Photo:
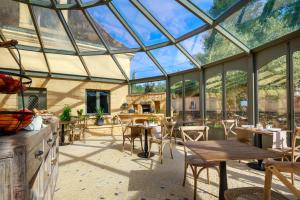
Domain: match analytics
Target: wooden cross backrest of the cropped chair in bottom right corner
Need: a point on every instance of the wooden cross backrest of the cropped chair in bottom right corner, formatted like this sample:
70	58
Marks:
276	168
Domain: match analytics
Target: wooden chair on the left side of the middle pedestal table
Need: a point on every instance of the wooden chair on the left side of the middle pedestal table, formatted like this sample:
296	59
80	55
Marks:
130	134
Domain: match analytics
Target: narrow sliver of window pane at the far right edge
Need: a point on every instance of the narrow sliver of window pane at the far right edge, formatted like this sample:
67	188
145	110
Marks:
296	65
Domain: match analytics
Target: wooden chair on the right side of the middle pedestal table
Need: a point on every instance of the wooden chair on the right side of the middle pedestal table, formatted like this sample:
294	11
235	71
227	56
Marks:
163	138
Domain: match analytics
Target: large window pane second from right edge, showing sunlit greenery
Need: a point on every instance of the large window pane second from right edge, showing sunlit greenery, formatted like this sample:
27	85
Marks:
272	99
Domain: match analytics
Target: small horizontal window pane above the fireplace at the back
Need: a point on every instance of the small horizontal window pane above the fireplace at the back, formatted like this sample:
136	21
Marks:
157	86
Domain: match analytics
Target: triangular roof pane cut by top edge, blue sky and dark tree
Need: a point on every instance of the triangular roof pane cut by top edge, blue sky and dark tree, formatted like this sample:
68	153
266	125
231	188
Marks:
214	8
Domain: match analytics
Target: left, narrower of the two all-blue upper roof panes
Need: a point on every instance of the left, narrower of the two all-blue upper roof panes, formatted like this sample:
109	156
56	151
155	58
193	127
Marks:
146	31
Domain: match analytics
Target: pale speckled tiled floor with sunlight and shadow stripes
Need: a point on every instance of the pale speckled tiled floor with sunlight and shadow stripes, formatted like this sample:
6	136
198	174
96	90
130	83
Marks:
98	169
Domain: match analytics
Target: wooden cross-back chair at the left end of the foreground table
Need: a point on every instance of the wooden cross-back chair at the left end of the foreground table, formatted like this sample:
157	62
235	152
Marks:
196	133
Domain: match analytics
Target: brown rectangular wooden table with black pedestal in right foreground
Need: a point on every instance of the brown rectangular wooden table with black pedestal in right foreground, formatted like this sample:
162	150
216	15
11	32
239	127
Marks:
224	150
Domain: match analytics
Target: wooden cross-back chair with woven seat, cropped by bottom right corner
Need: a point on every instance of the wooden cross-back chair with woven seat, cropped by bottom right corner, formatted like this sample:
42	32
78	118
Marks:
254	193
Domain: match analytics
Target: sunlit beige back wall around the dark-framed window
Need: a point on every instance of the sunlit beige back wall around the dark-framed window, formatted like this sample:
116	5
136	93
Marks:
62	92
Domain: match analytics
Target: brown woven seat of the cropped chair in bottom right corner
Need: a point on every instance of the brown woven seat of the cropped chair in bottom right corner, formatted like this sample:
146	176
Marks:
250	193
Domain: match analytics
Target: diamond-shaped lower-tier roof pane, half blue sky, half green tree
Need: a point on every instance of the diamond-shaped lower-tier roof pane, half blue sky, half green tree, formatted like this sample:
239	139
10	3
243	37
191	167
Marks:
210	46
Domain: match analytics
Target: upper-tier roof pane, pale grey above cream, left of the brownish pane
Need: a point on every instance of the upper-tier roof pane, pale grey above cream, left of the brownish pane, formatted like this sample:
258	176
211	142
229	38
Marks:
52	31
